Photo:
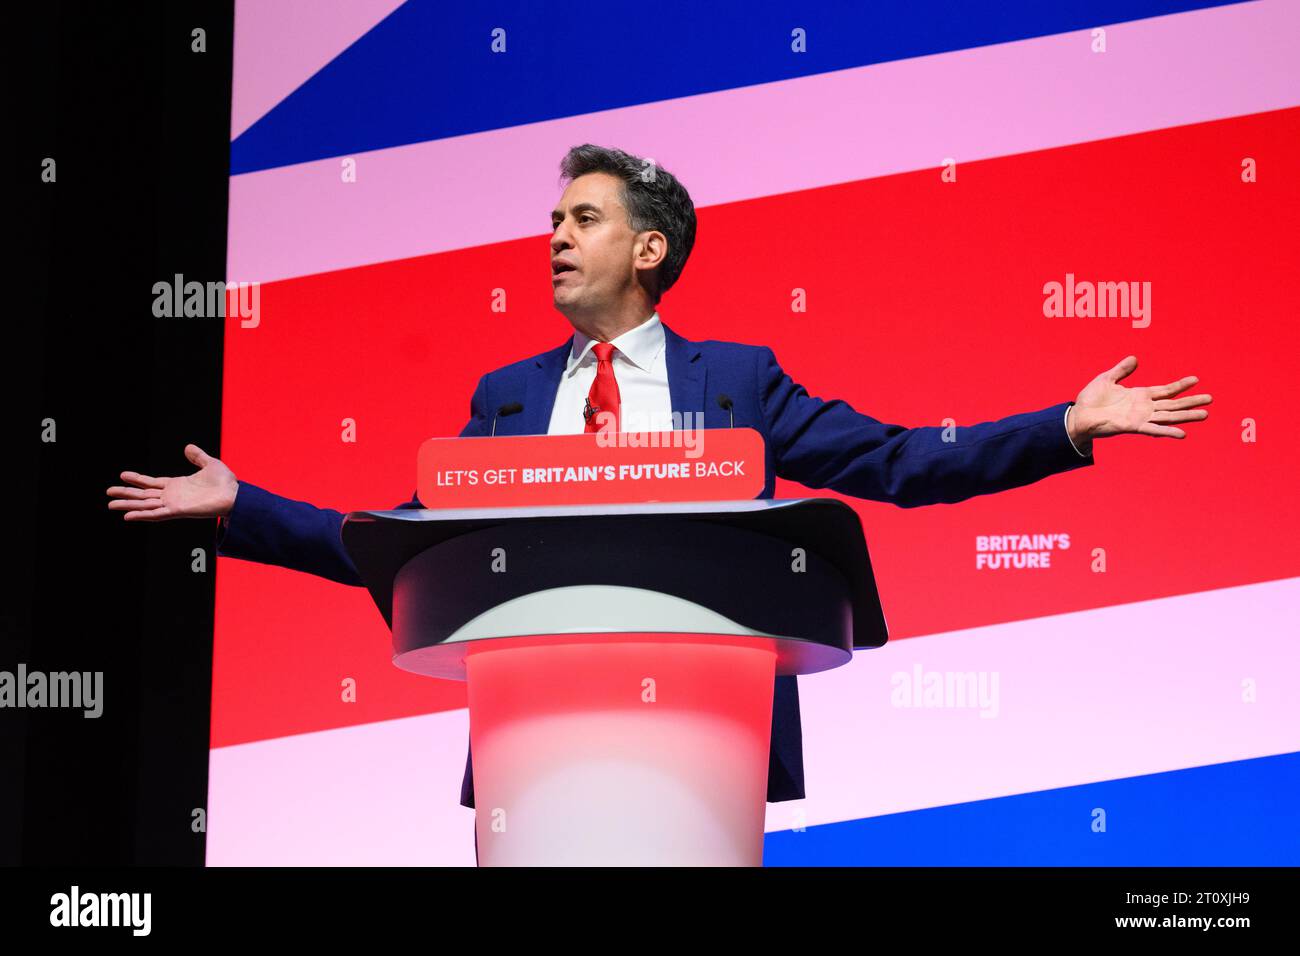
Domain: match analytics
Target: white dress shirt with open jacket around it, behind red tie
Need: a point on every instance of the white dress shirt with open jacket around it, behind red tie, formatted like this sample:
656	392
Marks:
642	371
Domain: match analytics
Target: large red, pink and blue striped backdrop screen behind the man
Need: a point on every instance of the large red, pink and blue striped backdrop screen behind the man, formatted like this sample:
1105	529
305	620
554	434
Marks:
886	198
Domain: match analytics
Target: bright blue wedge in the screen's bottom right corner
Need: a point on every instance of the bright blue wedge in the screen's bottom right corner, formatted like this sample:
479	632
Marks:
1246	814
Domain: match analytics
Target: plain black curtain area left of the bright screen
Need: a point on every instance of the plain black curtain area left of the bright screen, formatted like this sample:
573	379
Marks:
137	123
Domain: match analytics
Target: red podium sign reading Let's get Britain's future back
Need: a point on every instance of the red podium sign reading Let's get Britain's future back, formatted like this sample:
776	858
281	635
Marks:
515	471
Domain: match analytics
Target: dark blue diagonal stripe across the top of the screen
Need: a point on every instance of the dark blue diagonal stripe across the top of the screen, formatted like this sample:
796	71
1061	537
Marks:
427	71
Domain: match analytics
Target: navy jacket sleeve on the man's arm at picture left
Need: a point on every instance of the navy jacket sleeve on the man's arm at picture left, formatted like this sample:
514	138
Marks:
272	530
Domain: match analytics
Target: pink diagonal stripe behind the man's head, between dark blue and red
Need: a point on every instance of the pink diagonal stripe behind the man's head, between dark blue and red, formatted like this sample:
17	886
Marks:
777	139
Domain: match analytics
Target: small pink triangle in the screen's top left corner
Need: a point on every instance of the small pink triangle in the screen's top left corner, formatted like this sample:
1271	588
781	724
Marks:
283	44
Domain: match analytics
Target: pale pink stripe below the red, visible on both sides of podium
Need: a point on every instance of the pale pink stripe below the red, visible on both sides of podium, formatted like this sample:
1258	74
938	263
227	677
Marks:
1091	697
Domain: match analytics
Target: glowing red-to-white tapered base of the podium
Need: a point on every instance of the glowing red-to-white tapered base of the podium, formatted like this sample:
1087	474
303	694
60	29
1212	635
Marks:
627	750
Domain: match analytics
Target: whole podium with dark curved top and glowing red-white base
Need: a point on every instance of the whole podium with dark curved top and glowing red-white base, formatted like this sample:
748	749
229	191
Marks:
621	660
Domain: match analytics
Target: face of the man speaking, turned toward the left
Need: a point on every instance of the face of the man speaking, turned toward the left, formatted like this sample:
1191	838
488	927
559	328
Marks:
591	233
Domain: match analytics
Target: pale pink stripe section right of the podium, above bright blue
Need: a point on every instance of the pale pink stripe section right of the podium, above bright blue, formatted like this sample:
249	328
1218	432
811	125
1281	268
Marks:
1099	695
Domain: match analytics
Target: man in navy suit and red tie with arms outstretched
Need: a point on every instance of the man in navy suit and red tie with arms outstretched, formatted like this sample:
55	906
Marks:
621	237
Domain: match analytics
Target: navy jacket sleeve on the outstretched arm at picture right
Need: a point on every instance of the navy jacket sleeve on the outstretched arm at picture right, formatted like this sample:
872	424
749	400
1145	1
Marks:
831	445
